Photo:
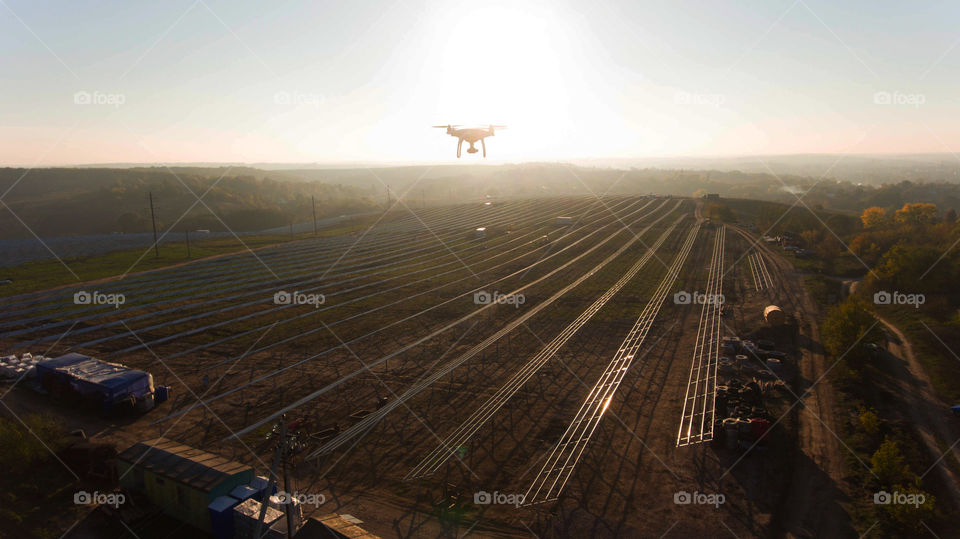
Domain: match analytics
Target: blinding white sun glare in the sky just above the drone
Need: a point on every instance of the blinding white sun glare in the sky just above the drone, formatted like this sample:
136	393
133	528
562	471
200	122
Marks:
502	64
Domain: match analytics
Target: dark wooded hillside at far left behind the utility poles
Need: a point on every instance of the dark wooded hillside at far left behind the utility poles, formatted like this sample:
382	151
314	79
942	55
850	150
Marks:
61	202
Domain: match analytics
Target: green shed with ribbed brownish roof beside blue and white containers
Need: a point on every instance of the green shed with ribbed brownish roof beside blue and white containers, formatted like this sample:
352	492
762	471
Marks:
181	480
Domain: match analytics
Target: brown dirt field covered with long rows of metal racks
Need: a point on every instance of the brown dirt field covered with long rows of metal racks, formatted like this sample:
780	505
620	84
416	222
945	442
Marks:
414	318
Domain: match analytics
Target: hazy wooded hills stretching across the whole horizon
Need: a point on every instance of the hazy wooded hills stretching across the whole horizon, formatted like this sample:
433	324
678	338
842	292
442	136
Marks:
68	201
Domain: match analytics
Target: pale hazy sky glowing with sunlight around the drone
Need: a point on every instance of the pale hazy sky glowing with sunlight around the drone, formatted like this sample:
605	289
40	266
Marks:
299	81
